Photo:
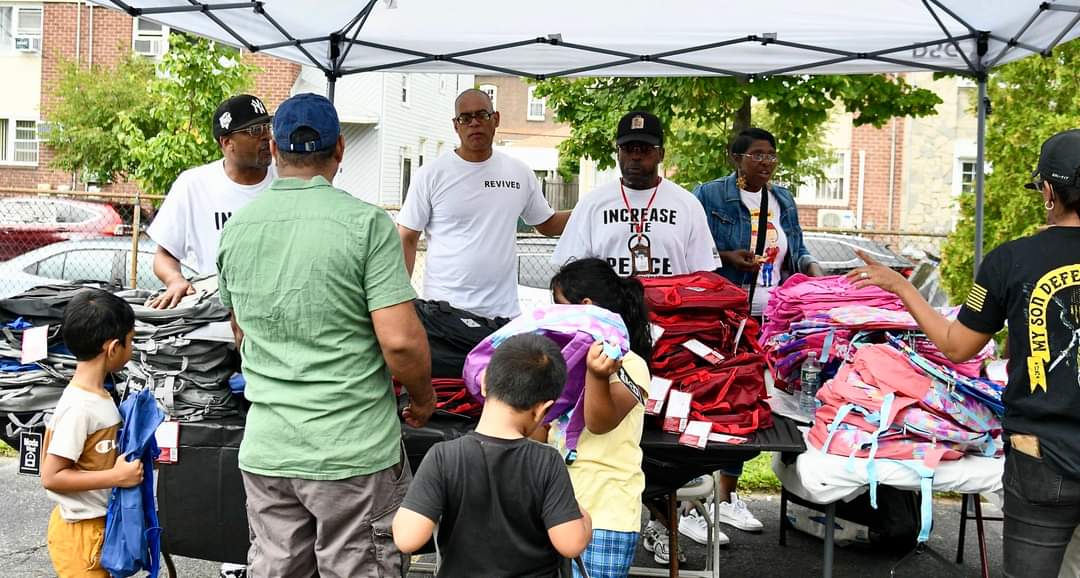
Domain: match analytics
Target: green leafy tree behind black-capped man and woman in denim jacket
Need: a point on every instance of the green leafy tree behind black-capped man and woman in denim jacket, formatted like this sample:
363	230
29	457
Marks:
700	114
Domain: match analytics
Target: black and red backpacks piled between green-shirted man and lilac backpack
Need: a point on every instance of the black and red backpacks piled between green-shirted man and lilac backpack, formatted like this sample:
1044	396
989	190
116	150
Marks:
452	334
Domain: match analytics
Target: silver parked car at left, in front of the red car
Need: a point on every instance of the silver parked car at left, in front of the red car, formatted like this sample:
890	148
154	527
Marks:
104	260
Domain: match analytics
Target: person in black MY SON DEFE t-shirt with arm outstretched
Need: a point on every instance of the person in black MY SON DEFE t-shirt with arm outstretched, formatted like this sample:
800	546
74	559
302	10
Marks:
1034	286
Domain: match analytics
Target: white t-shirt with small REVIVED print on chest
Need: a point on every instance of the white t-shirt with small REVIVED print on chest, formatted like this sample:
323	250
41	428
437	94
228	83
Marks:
469	212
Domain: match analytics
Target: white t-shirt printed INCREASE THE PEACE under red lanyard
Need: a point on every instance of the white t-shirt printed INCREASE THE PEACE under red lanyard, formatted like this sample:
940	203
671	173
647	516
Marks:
676	231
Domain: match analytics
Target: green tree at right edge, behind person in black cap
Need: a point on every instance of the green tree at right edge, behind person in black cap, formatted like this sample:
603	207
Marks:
1032	100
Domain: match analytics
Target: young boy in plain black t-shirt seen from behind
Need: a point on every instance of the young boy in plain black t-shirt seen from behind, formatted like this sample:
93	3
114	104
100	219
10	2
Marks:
504	504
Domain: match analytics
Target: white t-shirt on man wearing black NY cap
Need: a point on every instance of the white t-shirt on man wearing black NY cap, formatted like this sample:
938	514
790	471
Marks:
190	222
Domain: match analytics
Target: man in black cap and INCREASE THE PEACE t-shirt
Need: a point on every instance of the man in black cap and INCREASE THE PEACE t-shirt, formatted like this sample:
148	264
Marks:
642	224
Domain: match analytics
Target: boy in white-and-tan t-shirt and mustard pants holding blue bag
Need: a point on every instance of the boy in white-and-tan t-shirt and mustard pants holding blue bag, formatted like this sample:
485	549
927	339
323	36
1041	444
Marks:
80	448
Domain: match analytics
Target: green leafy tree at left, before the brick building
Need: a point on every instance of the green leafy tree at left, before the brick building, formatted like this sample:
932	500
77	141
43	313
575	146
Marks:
144	123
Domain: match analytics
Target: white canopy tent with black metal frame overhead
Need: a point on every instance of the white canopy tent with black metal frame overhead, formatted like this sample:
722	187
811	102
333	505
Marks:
637	38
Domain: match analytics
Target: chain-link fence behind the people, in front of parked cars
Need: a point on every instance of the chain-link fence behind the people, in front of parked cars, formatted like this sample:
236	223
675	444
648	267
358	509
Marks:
75	236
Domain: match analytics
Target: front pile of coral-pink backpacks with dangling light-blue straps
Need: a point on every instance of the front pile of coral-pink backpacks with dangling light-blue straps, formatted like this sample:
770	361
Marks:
884	405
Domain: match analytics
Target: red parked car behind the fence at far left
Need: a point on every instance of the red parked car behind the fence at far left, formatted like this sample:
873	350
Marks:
30	223
